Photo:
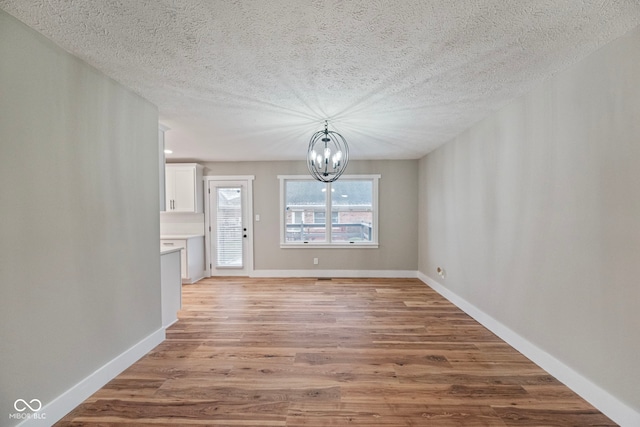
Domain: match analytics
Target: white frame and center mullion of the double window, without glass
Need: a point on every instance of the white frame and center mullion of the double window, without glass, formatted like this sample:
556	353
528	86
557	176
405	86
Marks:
297	245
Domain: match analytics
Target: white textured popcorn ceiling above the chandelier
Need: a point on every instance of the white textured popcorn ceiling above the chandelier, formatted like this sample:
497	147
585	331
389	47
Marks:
253	80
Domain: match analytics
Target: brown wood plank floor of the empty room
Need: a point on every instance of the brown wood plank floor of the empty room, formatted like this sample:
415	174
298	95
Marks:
306	352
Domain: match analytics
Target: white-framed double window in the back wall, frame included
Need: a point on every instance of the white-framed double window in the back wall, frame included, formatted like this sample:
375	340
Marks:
352	204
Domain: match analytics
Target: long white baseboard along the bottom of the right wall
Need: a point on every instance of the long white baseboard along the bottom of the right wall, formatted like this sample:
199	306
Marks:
608	404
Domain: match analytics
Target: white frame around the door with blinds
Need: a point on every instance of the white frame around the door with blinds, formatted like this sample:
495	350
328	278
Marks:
247	220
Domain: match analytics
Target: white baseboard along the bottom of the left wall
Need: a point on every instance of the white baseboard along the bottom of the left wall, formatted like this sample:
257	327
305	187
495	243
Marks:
70	399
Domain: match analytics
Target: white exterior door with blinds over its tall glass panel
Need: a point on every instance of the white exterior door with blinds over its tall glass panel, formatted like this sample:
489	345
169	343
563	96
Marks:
229	228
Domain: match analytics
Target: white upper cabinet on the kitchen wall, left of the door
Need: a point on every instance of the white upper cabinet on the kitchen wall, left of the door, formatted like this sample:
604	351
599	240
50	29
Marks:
184	187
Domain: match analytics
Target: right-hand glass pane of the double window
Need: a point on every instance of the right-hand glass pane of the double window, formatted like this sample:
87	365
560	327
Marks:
351	210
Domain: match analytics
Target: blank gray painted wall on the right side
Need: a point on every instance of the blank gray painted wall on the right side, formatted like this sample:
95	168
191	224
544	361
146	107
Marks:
534	213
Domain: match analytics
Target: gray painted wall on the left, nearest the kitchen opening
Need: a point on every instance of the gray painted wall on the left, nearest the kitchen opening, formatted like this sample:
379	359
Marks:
79	228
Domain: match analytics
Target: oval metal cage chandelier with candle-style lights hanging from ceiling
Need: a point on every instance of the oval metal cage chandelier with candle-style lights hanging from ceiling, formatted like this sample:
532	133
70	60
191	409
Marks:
328	155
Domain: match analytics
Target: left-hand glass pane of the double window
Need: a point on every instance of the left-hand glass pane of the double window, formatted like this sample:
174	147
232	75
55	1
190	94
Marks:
305	211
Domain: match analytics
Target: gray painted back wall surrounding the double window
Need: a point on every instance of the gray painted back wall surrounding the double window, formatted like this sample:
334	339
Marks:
398	220
